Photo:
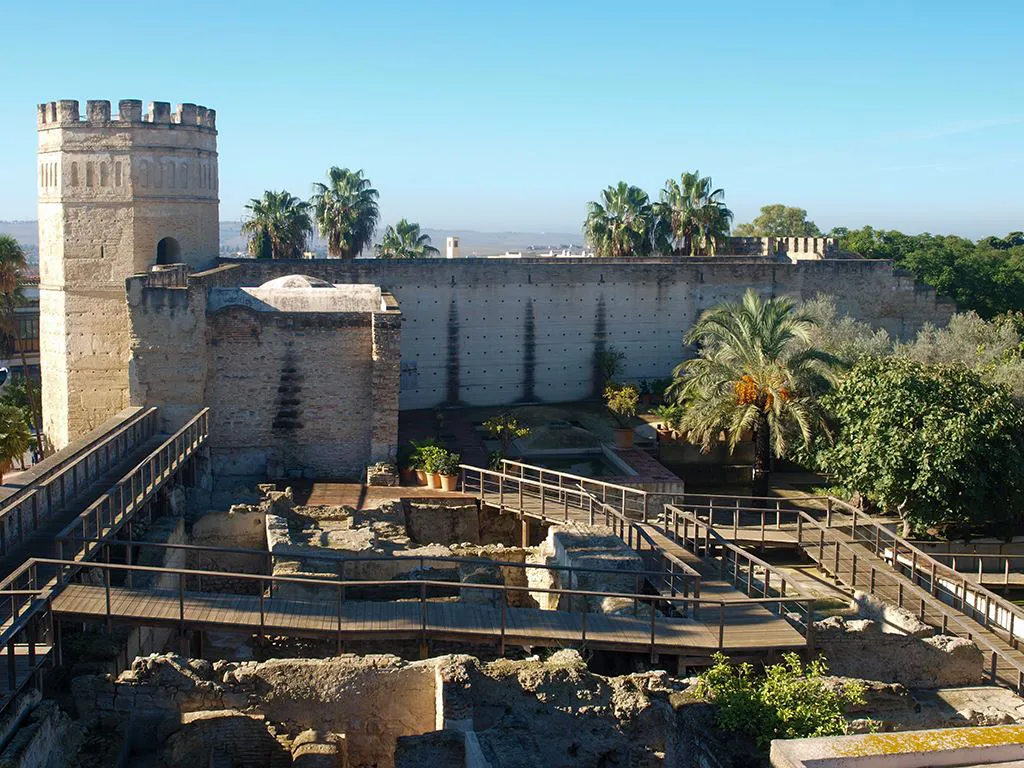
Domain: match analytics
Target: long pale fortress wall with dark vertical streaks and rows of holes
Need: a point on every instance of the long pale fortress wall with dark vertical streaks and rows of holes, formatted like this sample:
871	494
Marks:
486	332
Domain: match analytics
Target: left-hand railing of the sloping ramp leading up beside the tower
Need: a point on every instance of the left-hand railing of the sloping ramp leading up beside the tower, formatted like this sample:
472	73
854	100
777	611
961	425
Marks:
53	489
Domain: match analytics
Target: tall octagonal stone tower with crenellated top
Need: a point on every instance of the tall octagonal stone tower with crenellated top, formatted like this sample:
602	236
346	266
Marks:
117	197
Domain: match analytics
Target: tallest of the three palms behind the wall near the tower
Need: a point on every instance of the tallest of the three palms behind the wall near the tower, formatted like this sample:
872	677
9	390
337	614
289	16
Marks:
347	212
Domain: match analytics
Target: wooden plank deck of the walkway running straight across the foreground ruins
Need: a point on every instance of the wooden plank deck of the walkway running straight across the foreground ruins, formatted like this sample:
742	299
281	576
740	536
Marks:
745	629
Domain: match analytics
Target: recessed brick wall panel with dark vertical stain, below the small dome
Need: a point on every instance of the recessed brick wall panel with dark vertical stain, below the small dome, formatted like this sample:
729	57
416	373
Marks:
300	386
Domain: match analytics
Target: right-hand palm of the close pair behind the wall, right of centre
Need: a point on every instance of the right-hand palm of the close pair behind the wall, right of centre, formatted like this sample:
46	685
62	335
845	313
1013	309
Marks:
696	214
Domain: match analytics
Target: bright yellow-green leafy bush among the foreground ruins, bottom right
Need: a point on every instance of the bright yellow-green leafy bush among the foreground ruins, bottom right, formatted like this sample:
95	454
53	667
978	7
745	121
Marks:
790	701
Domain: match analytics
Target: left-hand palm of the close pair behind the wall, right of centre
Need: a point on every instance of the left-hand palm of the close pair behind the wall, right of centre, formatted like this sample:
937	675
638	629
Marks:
623	224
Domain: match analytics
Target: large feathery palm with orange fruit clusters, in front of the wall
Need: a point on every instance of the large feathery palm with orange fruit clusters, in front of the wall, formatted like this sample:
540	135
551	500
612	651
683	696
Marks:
756	371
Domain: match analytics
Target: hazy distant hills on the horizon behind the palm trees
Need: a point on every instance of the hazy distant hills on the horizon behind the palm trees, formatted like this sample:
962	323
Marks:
472	242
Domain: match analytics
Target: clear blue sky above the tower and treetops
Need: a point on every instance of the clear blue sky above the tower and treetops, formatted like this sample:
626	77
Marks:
497	117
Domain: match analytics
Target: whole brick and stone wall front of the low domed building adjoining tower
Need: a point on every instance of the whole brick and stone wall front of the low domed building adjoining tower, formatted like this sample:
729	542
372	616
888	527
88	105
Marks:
291	394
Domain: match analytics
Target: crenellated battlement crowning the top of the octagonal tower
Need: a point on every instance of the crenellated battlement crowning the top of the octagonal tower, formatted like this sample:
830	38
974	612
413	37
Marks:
66	113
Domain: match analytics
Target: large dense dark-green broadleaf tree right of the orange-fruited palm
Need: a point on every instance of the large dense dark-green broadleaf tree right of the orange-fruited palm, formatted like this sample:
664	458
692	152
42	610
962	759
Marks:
932	443
